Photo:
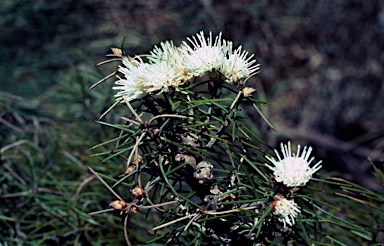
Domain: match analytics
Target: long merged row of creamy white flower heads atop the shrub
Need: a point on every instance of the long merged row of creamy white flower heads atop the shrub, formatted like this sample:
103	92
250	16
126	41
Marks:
169	66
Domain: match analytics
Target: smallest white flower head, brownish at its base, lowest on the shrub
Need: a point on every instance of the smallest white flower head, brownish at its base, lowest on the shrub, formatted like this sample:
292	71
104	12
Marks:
286	210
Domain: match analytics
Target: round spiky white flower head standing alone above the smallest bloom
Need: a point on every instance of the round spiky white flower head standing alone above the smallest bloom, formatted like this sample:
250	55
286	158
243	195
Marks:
294	169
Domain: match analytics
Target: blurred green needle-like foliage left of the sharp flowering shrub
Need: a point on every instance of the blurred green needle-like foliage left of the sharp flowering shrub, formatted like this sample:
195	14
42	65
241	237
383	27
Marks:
45	186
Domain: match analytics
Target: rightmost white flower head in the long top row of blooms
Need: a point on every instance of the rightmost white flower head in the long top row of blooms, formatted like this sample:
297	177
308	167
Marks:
238	64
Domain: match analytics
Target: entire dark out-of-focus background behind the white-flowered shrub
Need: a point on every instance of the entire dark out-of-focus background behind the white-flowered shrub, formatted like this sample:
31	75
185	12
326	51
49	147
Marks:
321	73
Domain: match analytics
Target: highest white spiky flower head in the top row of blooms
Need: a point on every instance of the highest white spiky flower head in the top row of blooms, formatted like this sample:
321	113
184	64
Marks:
205	56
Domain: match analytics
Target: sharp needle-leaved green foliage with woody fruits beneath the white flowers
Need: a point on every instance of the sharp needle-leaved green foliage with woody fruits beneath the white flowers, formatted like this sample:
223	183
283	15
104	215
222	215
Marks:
168	144
